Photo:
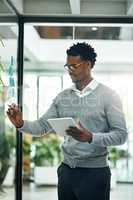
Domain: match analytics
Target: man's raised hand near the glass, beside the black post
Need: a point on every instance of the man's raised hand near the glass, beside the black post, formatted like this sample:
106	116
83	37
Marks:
15	115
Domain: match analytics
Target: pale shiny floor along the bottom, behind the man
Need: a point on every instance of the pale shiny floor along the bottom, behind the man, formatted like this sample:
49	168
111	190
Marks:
121	192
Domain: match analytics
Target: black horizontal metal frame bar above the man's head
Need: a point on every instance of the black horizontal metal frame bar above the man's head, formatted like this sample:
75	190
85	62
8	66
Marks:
77	19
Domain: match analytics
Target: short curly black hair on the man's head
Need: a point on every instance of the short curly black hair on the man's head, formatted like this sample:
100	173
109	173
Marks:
84	50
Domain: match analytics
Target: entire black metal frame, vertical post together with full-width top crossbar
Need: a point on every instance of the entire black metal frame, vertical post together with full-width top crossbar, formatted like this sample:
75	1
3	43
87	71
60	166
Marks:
21	20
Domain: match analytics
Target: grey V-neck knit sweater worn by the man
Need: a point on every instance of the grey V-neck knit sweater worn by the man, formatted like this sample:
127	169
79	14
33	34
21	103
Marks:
100	112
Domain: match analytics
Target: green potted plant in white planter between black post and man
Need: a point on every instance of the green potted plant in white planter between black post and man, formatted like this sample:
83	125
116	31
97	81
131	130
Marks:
46	159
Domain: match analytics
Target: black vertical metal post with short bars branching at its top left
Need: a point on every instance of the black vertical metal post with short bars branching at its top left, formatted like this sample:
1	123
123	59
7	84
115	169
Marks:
9	19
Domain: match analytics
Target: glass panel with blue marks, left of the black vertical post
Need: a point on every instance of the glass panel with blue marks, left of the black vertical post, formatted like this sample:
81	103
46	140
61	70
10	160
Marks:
8	95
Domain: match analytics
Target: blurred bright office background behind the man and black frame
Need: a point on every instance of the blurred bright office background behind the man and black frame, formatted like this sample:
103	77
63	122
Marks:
44	77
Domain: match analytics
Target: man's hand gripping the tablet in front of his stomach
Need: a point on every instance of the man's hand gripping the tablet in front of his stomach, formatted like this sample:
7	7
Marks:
79	133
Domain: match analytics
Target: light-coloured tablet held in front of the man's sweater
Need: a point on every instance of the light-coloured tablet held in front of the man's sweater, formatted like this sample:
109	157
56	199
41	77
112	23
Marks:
61	124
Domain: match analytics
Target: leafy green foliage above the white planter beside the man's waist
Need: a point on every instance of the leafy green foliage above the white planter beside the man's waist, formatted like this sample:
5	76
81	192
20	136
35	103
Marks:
48	152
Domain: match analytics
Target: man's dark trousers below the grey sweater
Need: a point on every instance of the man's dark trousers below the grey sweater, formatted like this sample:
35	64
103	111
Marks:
83	183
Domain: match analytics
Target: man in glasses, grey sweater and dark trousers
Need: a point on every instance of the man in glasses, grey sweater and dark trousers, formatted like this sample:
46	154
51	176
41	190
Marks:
84	173
